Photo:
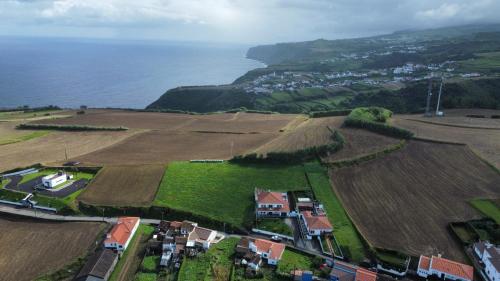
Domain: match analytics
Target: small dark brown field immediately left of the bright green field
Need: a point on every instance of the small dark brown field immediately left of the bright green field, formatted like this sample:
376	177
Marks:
124	186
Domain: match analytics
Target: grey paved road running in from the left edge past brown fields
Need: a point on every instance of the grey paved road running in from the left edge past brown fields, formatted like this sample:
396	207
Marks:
48	216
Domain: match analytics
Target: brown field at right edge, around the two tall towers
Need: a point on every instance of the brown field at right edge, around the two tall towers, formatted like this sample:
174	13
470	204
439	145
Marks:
485	142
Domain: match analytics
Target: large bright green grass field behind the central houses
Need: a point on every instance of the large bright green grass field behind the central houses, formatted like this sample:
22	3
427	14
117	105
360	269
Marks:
224	192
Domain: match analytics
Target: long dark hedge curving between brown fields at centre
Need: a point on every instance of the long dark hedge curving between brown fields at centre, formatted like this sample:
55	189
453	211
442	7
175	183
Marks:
298	156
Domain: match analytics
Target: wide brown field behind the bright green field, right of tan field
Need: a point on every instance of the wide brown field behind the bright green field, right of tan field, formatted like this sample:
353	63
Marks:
161	147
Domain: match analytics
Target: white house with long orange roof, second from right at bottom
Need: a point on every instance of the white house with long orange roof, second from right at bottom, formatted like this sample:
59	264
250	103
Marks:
444	268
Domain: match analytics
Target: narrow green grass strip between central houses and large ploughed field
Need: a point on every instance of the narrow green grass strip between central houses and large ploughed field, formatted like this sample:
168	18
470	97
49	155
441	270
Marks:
343	229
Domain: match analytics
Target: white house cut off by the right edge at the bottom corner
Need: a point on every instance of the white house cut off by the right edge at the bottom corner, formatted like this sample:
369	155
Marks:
489	254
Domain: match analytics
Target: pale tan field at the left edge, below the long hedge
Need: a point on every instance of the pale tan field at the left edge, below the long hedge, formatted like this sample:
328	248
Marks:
51	148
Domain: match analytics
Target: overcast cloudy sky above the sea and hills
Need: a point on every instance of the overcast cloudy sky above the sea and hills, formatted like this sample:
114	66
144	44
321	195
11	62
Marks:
239	21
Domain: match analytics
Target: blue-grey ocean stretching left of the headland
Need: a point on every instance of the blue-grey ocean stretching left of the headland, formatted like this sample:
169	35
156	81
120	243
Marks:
110	73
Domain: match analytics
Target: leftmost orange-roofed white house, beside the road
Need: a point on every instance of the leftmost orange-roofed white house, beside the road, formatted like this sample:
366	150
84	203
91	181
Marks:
121	234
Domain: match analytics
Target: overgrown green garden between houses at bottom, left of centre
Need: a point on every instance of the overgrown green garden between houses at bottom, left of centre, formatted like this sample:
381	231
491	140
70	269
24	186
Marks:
213	265
